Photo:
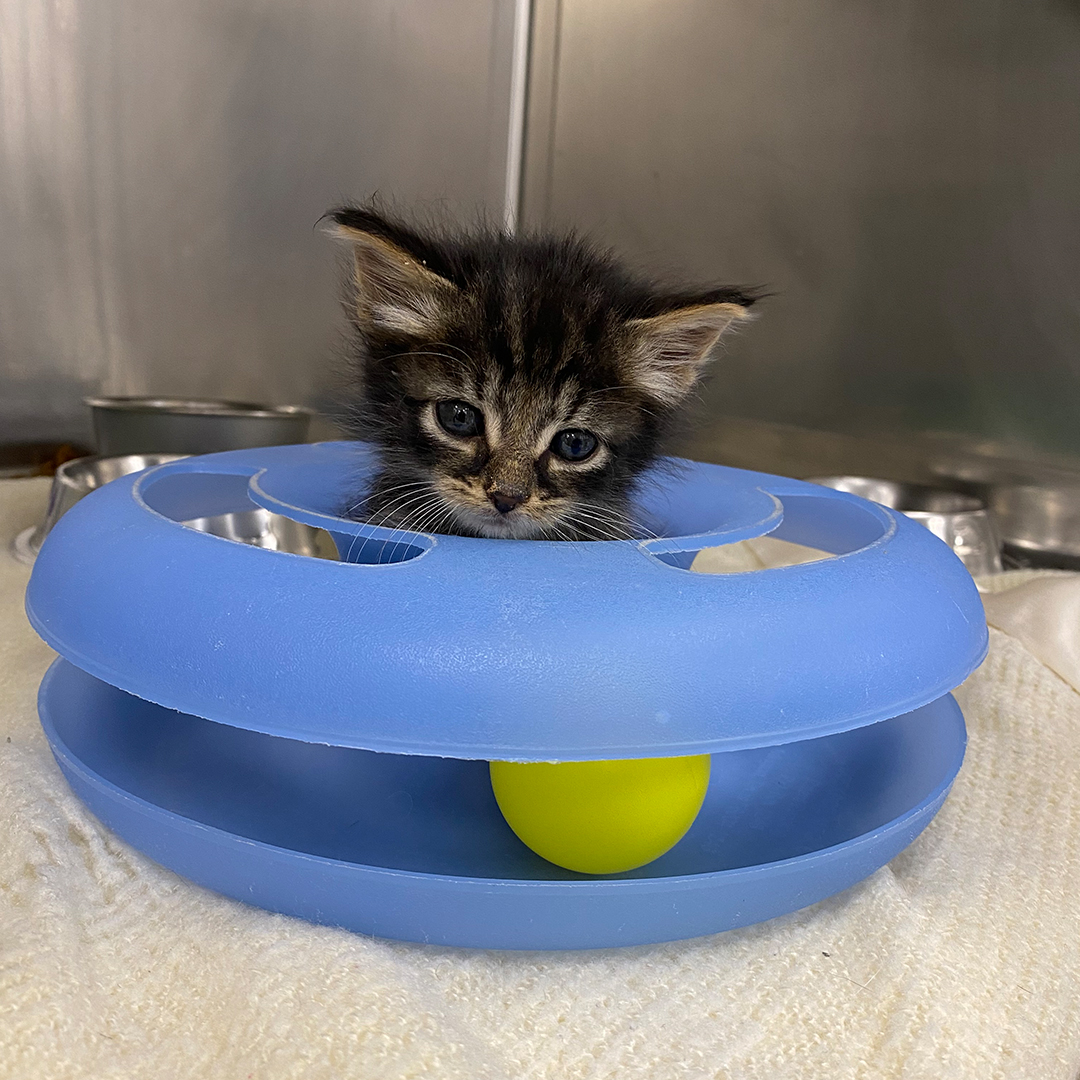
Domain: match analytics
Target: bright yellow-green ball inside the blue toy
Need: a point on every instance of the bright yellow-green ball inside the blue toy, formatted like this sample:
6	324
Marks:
602	817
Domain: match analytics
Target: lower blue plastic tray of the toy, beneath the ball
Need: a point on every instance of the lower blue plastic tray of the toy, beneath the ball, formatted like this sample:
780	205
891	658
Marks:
415	848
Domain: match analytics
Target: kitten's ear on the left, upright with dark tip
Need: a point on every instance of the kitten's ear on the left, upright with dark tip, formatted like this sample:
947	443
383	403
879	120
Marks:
396	291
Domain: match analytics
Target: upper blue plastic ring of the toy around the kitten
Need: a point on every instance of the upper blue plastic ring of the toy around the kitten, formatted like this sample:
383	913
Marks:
505	650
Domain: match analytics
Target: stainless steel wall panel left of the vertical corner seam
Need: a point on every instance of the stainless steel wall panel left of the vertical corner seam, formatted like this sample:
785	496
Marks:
163	166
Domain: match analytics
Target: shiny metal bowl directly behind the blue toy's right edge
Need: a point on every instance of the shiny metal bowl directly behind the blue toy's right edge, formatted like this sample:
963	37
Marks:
962	521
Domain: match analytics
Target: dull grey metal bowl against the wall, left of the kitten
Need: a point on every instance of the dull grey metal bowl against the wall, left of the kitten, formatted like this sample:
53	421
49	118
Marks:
172	426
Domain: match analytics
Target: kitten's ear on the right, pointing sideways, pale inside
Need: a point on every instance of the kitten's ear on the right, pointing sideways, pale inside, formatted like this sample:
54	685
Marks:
669	353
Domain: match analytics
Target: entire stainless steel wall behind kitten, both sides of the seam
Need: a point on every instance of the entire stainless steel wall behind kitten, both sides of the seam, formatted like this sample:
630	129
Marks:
904	175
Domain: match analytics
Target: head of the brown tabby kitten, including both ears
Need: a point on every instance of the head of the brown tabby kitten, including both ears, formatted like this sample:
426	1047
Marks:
517	387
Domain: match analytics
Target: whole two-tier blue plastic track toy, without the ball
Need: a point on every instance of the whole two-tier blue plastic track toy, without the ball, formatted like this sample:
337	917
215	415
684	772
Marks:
313	735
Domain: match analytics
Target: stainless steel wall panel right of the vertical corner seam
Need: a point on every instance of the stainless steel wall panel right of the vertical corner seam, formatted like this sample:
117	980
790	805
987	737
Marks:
906	175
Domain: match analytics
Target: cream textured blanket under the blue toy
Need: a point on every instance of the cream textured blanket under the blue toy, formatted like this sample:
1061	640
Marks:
961	960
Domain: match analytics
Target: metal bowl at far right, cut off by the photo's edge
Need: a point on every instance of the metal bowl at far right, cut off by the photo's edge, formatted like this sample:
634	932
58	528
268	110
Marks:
1039	524
